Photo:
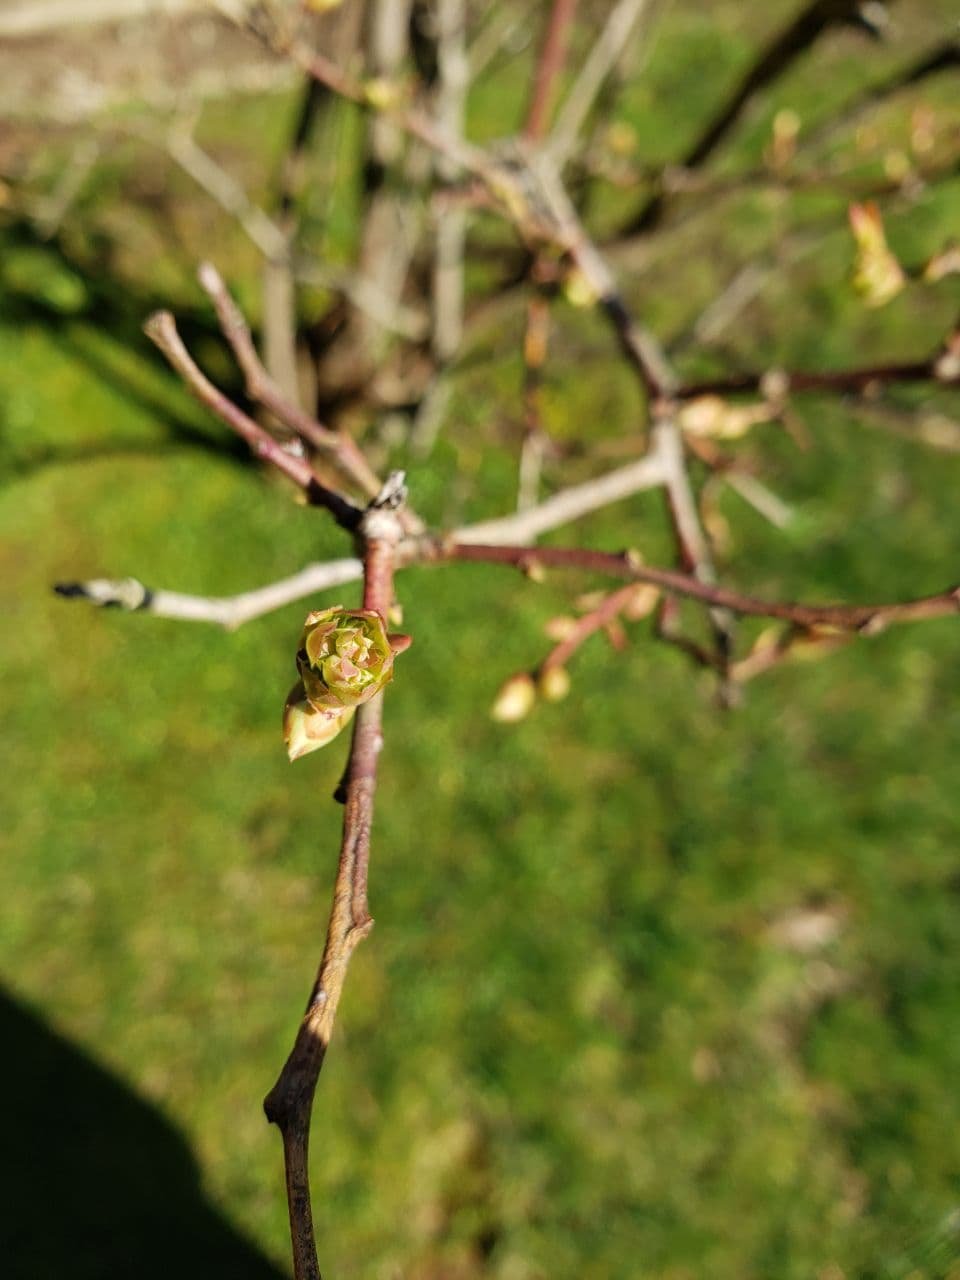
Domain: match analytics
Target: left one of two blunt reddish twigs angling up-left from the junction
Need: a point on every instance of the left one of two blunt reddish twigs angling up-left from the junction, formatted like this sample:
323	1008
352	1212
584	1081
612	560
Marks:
162	331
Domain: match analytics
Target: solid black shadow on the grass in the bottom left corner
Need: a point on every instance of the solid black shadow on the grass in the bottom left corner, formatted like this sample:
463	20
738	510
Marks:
94	1183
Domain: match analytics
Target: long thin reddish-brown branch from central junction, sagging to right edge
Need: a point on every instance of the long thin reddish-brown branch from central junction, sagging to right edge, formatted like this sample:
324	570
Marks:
845	618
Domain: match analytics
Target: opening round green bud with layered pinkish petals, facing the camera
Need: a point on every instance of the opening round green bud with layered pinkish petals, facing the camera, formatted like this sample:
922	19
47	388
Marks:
345	659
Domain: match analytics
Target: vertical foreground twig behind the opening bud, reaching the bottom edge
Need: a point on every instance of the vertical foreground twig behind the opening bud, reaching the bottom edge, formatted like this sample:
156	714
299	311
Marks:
290	1103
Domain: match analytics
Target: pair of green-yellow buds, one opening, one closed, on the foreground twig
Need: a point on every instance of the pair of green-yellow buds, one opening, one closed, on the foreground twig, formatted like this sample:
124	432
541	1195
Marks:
345	659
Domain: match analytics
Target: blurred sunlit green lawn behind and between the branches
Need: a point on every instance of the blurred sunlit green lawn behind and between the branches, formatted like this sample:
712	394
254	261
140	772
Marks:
655	990
